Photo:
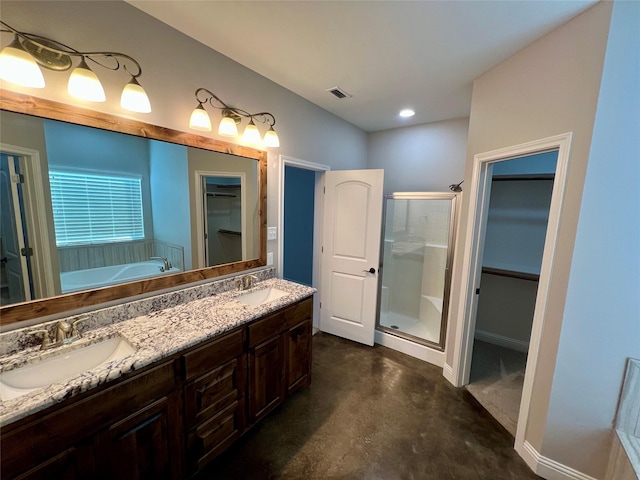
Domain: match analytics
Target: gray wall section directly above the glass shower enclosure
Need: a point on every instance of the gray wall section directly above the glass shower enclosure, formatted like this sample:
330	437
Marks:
422	158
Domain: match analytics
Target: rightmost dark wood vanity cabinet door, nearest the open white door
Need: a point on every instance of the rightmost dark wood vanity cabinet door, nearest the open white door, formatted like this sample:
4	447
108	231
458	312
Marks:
298	356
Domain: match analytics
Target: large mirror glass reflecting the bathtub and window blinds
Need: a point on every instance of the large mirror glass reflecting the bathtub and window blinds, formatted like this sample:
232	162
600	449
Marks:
86	175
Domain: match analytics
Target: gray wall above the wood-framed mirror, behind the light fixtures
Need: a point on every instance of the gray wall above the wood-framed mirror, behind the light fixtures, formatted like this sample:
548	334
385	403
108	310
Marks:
174	65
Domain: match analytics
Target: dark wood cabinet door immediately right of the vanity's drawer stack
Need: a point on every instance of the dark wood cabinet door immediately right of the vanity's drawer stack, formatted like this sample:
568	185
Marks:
266	372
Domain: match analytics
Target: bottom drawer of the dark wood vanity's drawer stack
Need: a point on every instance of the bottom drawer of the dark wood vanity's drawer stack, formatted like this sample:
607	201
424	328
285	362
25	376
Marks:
211	438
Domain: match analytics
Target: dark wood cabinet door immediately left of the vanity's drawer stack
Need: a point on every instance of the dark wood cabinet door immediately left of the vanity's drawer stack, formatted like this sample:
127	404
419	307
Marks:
145	445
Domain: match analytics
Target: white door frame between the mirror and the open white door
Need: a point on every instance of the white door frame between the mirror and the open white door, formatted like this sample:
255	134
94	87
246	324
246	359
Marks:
319	168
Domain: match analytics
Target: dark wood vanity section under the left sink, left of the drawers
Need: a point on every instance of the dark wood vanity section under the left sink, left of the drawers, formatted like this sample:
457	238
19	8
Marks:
88	438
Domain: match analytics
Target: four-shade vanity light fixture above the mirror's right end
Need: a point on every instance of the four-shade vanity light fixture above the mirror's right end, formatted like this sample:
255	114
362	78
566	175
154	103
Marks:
231	118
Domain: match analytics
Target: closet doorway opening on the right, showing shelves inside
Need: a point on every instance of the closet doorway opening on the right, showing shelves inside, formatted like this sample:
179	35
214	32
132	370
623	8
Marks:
517	219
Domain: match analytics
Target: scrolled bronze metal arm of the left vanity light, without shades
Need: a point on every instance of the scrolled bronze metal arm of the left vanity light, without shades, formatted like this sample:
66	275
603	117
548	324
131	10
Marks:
55	55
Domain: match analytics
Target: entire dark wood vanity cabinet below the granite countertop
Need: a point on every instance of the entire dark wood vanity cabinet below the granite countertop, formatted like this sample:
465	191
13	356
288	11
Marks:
170	419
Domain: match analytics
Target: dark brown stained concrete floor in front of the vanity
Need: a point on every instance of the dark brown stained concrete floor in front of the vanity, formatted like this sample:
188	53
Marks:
373	413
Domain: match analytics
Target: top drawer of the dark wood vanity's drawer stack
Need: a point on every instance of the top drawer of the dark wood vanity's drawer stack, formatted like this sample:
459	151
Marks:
214	353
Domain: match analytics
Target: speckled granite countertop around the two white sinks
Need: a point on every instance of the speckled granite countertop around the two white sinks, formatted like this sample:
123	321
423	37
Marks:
155	336
